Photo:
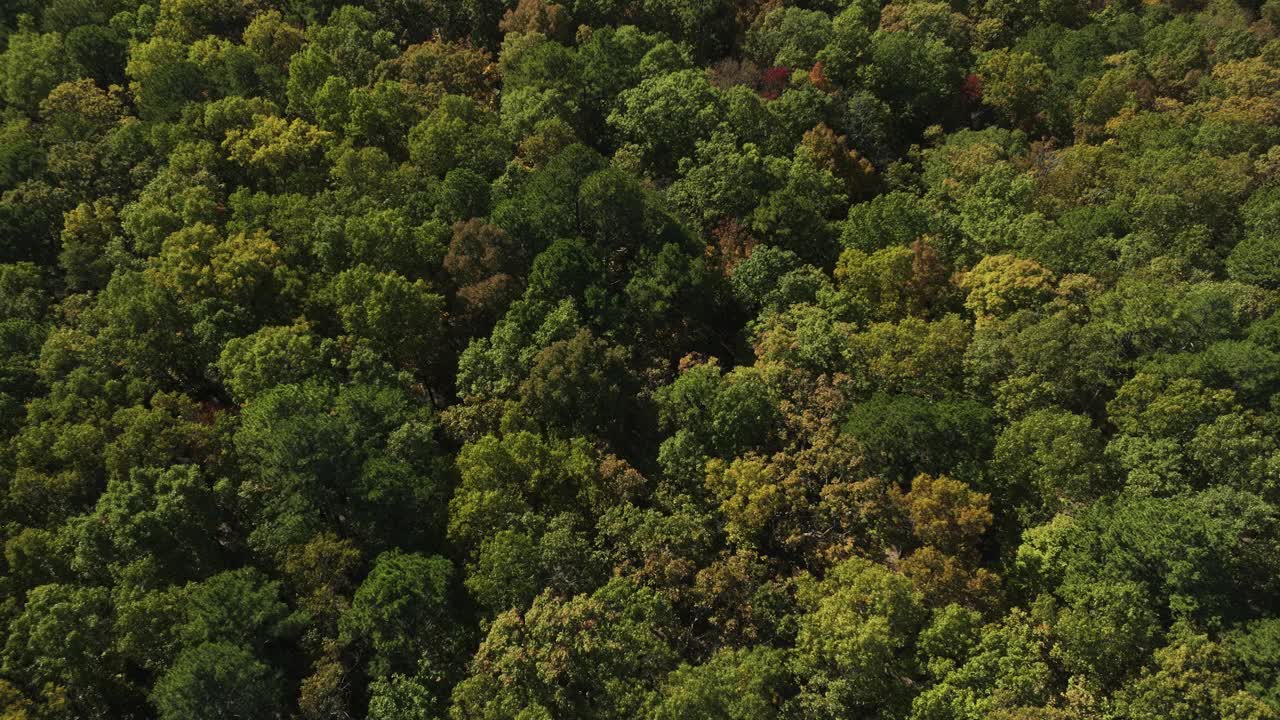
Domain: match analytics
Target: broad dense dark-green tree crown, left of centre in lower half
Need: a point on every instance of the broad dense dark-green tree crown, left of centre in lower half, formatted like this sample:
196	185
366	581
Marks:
362	461
